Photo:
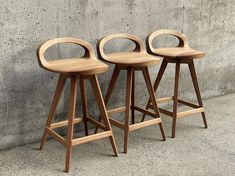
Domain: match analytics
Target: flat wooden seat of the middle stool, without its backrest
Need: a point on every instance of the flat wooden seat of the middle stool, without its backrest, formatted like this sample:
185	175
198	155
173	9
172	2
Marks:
132	58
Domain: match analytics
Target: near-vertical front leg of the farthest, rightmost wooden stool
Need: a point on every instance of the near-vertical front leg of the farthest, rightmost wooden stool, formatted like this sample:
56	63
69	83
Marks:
177	75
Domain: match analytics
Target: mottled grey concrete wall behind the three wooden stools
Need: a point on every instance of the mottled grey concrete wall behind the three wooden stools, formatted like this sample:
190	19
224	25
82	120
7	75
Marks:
26	90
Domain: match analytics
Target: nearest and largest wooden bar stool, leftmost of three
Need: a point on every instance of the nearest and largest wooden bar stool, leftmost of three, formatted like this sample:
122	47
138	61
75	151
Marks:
82	68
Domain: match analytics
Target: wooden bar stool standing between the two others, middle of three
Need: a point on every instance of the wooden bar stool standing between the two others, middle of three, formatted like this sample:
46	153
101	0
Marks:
136	60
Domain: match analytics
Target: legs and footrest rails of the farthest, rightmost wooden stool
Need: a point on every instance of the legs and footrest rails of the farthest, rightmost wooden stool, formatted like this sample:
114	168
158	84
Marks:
176	115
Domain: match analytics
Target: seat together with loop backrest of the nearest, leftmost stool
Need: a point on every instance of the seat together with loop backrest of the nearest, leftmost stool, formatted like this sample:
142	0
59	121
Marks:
81	66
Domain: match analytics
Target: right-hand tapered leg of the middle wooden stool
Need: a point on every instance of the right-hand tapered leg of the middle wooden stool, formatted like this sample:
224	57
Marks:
153	98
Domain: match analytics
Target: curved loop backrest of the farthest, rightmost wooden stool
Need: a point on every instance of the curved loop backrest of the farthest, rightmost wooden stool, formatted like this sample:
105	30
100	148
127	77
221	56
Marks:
183	42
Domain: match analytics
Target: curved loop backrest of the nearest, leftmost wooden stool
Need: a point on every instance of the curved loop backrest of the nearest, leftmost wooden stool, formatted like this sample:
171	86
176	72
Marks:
89	52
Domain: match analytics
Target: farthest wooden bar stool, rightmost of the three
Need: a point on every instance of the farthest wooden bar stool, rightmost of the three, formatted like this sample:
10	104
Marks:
182	54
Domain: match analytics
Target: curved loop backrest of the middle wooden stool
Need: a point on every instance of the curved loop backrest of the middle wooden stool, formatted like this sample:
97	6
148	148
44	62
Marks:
139	44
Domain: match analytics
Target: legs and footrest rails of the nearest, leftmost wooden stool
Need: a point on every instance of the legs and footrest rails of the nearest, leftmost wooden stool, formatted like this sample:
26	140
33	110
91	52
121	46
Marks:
69	142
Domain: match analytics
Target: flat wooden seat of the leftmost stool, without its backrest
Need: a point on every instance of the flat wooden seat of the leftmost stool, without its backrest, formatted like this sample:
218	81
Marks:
77	65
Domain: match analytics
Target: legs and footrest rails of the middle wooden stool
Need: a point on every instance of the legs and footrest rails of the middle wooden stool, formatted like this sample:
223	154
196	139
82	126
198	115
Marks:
130	107
